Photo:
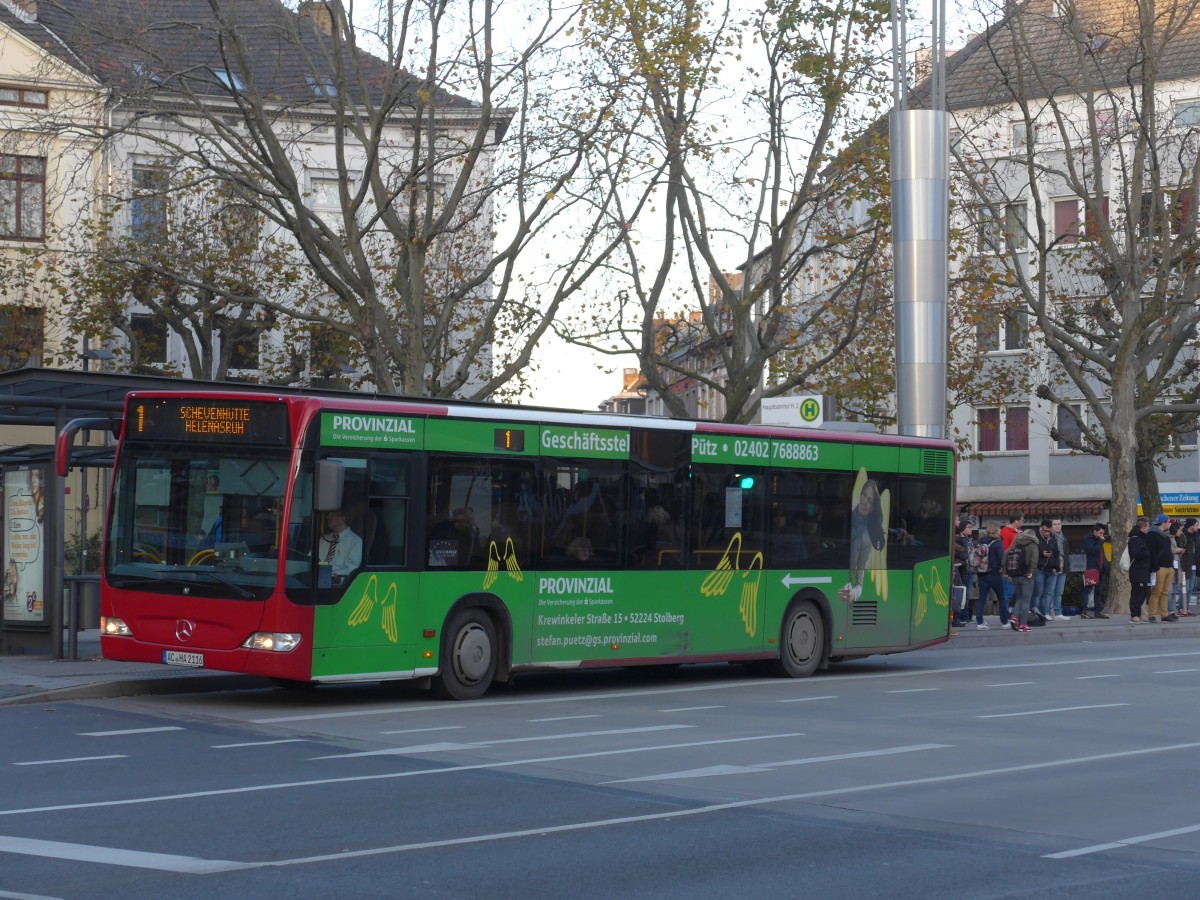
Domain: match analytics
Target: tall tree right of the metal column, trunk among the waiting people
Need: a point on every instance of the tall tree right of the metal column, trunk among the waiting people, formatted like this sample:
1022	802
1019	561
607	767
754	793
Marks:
1065	109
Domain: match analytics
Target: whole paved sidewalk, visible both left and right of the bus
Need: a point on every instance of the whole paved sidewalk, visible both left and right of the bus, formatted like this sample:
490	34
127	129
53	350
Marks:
41	680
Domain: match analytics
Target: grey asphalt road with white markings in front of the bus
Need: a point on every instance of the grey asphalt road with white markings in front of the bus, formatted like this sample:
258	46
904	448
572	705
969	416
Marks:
1059	771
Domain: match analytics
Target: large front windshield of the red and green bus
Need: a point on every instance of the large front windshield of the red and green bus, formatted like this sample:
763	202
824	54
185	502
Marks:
199	520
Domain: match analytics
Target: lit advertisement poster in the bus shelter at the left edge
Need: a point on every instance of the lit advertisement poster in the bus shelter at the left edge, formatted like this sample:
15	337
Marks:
25	513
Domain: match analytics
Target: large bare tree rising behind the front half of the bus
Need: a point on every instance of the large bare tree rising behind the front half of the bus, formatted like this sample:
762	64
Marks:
411	152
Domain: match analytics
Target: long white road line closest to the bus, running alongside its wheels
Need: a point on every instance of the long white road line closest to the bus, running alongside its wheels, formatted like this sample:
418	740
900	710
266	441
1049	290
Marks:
826	680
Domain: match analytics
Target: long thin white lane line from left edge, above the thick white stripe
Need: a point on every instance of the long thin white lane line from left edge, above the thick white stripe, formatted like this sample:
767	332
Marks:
391	776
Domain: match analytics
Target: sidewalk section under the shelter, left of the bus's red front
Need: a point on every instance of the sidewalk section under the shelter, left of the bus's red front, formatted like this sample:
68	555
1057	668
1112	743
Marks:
33	679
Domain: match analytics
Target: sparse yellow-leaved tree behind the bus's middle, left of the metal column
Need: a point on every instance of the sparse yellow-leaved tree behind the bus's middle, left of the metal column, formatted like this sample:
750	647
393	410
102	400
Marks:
747	143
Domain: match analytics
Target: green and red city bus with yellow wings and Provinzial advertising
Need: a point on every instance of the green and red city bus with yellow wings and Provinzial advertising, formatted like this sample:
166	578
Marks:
343	538
